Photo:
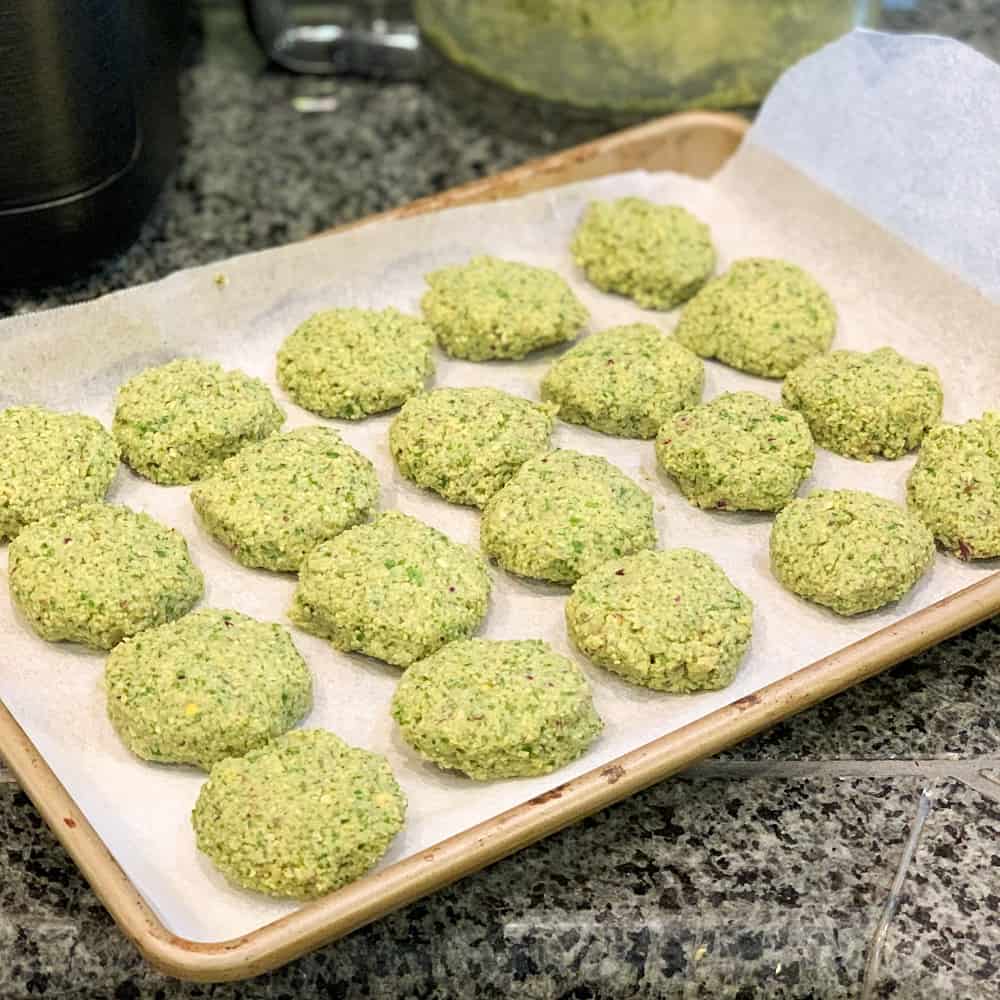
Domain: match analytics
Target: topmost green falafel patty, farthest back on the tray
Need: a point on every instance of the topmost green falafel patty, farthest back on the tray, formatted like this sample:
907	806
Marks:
657	255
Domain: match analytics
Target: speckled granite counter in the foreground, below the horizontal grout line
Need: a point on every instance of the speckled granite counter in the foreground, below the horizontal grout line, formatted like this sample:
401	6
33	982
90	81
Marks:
705	887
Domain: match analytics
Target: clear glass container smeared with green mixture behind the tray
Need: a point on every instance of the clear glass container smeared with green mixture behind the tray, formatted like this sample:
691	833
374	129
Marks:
637	56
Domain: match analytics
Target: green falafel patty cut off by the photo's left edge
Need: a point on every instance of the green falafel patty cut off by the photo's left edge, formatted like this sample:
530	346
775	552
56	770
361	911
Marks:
52	462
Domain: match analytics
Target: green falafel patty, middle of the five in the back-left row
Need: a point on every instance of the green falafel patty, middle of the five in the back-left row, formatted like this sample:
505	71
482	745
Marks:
350	363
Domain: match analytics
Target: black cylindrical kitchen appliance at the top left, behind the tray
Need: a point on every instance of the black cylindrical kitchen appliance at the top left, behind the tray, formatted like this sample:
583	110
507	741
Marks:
88	127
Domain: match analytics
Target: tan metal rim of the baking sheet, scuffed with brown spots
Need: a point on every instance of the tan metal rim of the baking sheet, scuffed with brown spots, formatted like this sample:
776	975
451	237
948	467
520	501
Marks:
695	143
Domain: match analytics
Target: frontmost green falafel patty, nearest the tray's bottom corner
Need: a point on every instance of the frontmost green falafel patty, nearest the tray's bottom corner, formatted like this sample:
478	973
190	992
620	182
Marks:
299	817
